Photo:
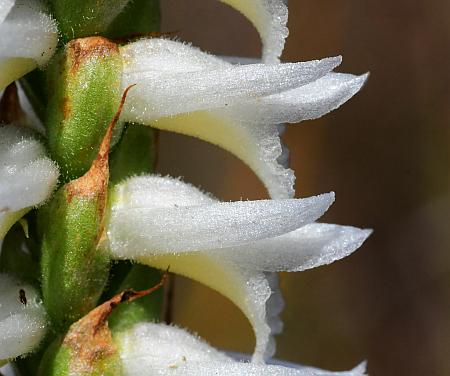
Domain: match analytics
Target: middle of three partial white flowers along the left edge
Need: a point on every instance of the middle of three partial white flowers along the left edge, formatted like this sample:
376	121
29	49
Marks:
27	176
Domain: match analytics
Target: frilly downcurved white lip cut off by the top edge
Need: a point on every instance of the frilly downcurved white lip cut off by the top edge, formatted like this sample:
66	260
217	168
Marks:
270	18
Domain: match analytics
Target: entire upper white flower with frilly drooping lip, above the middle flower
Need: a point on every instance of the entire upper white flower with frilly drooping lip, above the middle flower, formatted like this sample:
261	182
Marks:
237	107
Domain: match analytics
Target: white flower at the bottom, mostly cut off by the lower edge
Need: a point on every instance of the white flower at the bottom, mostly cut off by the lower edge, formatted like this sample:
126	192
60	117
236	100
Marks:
159	349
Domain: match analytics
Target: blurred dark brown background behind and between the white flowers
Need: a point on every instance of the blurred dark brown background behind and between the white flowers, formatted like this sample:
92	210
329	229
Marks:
385	154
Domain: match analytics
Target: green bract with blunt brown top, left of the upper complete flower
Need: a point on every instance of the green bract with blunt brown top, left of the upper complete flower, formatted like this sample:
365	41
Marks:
85	82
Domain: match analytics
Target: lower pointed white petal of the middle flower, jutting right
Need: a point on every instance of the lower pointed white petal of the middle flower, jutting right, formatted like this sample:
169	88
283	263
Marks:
308	247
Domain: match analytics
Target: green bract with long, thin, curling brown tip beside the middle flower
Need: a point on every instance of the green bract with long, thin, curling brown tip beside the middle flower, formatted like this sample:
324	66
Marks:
74	271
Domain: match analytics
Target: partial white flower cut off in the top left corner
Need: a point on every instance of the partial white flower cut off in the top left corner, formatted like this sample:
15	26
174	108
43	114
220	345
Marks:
29	38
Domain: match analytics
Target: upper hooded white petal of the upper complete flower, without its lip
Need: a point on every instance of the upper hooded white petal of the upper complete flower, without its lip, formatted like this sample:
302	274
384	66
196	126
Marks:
173	78
